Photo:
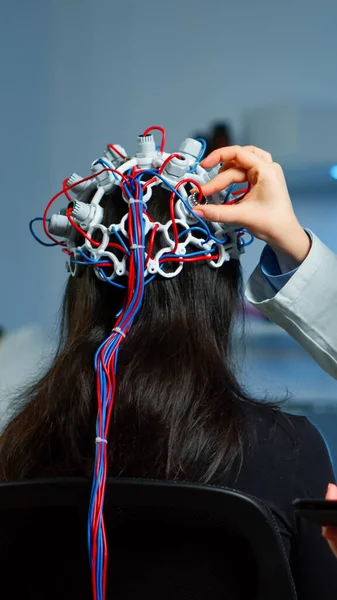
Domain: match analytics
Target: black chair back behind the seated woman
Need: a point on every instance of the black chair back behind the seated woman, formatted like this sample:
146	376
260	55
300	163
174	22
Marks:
166	541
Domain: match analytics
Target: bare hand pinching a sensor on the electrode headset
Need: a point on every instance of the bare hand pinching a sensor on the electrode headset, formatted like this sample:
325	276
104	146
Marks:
266	211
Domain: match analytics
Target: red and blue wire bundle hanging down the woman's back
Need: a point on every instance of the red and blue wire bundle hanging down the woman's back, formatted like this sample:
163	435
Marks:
105	365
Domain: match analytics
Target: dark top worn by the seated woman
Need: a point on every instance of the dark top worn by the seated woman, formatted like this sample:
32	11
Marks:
290	460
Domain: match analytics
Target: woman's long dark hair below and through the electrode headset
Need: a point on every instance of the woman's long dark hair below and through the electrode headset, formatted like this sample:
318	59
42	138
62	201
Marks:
179	411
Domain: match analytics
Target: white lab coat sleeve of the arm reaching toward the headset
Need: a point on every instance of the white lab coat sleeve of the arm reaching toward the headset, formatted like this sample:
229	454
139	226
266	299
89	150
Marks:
306	307
